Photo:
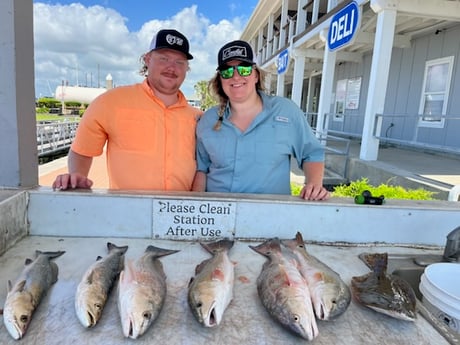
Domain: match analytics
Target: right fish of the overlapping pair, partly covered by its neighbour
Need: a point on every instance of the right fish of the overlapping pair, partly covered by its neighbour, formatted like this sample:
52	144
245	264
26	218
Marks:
329	293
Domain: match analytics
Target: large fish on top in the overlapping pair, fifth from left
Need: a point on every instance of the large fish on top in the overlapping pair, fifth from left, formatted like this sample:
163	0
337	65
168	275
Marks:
284	291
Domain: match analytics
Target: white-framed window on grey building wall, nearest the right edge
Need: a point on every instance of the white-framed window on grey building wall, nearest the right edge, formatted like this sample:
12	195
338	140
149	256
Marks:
435	92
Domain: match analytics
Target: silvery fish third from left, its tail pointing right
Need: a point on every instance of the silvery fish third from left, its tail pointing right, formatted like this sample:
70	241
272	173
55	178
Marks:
142	291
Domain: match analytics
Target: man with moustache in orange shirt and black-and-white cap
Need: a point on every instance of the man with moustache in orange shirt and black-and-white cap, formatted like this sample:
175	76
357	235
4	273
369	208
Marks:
148	128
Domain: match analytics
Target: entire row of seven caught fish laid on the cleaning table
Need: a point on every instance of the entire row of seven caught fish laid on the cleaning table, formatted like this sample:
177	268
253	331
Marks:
294	287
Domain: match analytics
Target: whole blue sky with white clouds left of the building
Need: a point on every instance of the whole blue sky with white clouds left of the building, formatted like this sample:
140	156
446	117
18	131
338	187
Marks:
81	42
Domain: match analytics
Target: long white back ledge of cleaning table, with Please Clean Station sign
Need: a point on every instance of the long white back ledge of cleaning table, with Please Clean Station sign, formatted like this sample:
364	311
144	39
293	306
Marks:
192	216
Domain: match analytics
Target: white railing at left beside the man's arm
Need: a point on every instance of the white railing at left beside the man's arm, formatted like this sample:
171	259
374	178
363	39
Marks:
55	136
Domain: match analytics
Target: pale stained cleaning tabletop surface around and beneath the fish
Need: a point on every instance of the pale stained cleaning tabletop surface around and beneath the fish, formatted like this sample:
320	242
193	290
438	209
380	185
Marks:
245	320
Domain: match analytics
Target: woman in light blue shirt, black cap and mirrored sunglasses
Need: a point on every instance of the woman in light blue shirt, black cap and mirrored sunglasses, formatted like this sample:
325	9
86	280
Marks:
245	144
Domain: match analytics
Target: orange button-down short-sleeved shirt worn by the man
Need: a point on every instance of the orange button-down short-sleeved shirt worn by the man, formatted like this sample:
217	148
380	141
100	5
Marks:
149	145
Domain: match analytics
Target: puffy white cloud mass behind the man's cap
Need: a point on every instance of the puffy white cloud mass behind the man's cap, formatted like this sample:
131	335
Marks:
83	44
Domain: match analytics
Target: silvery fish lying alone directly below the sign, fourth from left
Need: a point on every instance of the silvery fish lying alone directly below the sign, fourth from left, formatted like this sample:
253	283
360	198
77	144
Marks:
211	290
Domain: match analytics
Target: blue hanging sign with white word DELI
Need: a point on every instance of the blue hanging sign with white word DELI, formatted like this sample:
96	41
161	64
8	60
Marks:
343	27
